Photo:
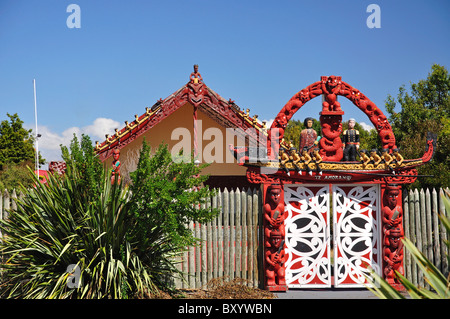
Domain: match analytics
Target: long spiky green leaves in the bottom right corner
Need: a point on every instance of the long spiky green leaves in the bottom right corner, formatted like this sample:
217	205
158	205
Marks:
436	280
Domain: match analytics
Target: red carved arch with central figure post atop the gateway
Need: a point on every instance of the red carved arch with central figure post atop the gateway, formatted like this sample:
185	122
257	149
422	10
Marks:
331	115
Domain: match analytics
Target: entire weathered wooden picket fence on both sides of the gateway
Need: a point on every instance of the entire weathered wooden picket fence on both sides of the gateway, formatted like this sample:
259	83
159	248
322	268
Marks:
231	244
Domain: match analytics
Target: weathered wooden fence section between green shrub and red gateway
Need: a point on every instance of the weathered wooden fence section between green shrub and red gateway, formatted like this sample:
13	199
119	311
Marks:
230	244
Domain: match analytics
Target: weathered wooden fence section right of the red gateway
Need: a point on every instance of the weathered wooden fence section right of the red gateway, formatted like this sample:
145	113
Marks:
422	226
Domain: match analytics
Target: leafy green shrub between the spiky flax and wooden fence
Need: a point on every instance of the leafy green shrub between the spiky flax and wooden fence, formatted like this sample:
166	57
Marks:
168	192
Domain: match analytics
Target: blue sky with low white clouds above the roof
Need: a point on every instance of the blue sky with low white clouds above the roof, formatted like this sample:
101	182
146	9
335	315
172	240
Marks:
128	54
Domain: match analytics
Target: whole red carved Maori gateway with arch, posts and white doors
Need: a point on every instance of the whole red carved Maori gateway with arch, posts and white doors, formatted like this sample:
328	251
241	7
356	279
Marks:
365	198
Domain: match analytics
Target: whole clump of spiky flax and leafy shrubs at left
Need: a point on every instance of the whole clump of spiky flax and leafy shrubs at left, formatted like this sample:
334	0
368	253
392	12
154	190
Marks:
121	249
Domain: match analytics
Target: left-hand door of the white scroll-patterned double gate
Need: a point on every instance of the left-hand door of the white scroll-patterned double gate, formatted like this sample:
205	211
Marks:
307	236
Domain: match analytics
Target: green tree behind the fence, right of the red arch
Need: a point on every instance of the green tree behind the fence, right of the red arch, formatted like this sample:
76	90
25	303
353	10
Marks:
425	108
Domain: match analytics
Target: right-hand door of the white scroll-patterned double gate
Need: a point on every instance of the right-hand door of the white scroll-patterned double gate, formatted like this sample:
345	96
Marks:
356	233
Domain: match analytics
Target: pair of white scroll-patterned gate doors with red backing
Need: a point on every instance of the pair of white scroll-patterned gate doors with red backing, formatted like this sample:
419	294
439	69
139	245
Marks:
356	234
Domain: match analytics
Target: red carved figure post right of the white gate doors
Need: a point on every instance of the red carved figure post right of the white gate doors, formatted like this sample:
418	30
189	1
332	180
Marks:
393	233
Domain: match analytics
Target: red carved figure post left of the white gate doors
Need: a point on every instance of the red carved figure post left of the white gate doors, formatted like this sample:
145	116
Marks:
274	233
